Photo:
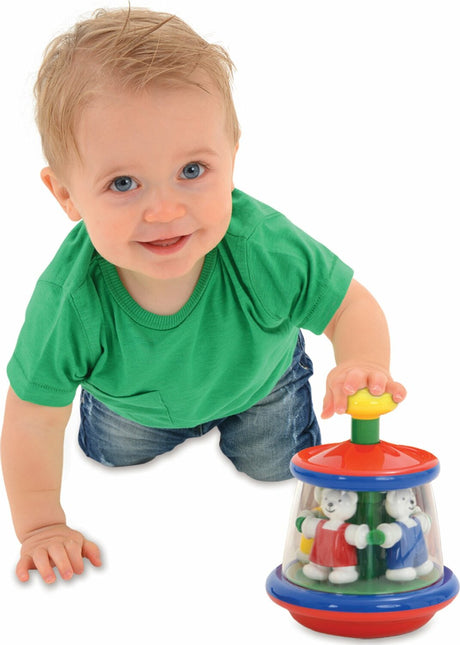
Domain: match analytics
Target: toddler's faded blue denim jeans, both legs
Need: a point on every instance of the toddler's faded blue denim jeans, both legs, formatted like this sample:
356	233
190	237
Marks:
259	441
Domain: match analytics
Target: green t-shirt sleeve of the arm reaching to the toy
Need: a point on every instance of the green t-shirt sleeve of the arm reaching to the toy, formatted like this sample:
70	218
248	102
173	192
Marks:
296	277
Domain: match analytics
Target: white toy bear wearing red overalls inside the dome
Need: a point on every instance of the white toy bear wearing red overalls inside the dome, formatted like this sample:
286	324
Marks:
333	555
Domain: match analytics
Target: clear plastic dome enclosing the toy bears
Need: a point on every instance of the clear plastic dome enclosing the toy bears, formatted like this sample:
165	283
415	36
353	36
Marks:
363	542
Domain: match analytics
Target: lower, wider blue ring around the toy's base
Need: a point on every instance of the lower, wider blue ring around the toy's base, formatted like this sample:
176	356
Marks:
279	588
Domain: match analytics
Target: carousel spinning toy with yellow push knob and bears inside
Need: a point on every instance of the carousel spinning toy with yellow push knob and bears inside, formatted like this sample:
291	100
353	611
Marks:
363	553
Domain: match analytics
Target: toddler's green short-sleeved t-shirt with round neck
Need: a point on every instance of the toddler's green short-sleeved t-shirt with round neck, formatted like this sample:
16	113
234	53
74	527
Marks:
218	355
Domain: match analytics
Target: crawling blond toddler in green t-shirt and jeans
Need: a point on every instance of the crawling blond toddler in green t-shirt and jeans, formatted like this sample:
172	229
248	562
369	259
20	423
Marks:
176	301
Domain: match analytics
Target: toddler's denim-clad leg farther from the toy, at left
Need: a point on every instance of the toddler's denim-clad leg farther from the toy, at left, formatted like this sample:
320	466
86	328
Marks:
112	440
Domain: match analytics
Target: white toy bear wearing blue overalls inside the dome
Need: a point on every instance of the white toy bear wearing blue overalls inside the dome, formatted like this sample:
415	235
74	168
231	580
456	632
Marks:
407	554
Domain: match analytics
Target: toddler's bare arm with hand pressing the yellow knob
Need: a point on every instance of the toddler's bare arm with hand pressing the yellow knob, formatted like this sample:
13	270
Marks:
359	334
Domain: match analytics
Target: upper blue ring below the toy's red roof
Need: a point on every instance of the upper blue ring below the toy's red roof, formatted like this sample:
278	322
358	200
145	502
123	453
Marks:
368	483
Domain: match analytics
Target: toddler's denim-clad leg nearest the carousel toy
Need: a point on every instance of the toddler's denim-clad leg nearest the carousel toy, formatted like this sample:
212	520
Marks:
262	440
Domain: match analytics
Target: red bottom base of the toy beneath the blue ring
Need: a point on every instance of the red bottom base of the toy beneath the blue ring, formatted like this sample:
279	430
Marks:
363	625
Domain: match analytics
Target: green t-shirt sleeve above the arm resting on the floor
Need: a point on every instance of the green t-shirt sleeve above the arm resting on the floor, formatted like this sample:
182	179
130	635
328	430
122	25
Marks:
53	353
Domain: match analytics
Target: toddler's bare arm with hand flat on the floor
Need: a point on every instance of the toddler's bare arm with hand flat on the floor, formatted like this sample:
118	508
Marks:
32	449
